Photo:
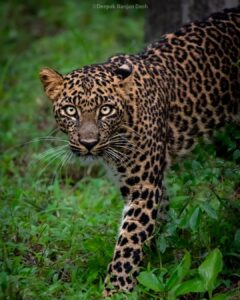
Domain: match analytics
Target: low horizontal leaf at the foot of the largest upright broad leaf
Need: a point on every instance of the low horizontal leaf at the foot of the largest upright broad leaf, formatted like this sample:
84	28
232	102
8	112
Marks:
190	286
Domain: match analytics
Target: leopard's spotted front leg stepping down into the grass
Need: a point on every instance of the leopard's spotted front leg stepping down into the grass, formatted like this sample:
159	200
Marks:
137	226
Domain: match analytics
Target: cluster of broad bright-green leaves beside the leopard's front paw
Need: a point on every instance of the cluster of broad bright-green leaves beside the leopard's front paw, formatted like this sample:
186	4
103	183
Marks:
172	284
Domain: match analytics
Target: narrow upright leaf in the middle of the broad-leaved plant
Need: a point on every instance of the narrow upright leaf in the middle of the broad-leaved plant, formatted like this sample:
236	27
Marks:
180	272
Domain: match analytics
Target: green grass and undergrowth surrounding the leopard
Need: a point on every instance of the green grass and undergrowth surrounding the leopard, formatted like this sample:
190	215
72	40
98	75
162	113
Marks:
58	228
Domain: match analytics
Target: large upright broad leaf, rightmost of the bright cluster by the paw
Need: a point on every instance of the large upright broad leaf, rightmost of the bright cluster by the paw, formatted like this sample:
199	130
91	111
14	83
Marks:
210	268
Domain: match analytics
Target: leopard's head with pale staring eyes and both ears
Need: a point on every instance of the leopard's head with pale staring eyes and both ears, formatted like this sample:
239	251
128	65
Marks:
90	106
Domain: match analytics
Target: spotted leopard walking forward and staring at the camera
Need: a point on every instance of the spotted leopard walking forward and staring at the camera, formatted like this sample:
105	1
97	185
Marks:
138	112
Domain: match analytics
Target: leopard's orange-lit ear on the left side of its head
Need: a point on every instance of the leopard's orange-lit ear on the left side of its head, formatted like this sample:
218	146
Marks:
52	82
